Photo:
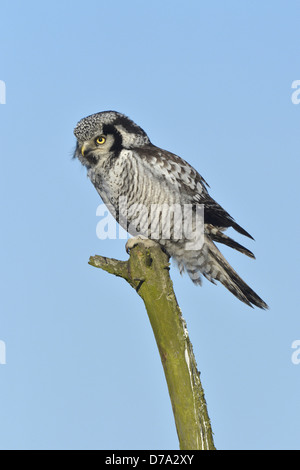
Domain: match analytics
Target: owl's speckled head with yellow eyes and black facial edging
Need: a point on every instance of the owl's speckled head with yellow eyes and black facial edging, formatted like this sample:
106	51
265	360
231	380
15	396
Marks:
106	133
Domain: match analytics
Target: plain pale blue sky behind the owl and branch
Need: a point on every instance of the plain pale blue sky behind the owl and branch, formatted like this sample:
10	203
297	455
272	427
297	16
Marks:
211	82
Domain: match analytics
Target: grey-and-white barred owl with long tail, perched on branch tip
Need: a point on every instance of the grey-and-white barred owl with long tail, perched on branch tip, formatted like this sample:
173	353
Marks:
156	194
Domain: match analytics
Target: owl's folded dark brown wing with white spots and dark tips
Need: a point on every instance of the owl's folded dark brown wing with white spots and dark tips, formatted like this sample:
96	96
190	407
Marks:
184	178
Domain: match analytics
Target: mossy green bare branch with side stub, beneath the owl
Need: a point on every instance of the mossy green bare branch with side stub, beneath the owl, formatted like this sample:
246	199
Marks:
147	271
